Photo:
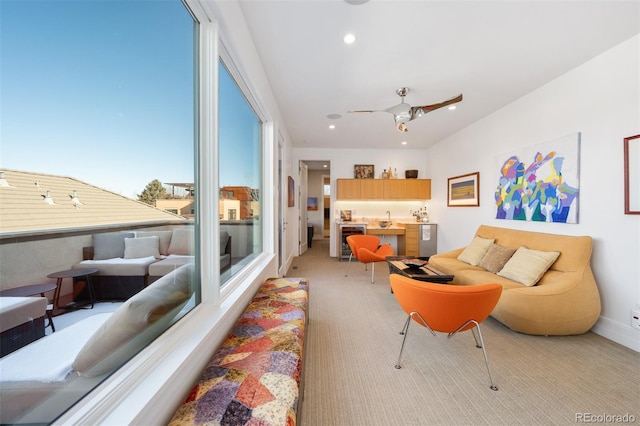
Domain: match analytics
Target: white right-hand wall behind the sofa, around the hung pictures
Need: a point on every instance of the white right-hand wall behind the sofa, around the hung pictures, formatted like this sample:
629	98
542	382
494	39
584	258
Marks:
599	99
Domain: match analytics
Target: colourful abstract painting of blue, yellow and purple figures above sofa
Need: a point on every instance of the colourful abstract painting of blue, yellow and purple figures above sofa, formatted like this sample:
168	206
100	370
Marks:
540	183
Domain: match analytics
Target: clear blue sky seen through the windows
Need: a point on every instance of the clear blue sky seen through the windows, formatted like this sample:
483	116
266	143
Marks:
102	91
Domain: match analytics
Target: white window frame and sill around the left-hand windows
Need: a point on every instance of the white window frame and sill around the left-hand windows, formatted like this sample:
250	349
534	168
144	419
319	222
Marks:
150	387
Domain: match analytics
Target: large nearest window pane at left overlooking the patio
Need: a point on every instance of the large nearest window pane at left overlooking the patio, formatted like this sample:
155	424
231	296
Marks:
98	110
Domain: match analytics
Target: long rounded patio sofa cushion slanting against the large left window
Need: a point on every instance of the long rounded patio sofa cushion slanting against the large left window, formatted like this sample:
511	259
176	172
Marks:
135	324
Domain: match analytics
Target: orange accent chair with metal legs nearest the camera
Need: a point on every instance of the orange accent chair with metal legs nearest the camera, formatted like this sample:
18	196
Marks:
446	308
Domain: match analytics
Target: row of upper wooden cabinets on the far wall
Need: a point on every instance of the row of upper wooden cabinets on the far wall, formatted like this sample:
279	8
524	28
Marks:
383	189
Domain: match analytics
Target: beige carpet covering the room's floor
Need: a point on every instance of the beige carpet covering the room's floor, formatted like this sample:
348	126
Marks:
353	344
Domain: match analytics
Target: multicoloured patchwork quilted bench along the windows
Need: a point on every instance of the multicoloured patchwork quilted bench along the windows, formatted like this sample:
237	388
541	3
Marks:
255	376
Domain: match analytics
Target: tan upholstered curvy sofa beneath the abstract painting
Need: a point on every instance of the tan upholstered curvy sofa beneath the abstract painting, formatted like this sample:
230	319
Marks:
564	301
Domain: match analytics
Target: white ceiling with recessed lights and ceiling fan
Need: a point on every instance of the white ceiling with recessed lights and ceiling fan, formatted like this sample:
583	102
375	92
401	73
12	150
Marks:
493	52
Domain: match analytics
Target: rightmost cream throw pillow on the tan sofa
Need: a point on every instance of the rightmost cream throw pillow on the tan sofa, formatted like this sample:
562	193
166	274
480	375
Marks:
527	266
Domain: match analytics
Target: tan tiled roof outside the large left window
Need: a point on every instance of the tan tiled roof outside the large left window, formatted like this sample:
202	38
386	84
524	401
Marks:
24	204
